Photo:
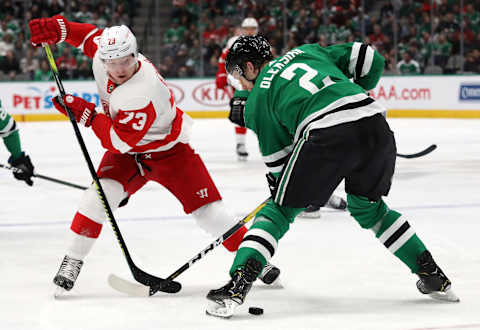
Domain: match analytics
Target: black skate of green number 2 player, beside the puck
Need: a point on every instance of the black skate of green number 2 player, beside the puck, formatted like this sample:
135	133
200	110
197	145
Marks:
224	301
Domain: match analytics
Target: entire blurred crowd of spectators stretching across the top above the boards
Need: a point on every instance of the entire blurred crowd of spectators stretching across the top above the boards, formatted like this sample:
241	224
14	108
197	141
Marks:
428	41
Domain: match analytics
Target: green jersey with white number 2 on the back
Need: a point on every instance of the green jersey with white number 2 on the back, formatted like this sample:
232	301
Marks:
311	87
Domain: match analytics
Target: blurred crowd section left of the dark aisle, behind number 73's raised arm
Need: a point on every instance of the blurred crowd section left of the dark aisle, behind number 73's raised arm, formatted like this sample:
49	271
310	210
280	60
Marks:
20	61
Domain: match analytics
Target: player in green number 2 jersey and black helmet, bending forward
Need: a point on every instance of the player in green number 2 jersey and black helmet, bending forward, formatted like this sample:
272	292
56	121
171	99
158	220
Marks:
316	126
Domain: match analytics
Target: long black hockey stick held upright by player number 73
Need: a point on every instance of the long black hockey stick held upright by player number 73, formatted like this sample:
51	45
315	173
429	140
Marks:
138	274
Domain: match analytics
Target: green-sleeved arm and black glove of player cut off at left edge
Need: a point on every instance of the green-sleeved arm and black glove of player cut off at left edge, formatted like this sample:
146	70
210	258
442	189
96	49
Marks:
11	138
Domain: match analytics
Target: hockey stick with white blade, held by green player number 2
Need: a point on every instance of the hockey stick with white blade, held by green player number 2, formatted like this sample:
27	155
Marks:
139	290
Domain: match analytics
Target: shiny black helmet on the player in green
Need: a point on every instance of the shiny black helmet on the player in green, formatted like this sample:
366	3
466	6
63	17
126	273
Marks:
255	49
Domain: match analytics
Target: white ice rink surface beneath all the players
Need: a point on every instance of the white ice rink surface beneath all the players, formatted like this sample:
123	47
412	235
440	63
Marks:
335	274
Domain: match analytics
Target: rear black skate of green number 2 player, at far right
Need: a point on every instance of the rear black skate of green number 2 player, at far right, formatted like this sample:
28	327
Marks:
433	280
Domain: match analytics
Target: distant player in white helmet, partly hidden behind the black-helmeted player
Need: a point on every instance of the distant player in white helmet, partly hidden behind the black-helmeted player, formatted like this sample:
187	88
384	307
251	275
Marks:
249	27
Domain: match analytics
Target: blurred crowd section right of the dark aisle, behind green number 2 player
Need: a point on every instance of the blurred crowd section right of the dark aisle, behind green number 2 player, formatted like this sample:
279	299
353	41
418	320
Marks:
421	47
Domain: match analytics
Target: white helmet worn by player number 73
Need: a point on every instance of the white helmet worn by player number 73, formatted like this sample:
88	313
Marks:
116	42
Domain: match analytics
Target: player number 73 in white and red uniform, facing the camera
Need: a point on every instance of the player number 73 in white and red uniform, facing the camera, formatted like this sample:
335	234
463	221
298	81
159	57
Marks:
145	134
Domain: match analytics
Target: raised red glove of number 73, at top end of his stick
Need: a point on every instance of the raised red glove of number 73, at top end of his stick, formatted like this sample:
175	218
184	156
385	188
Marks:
51	30
